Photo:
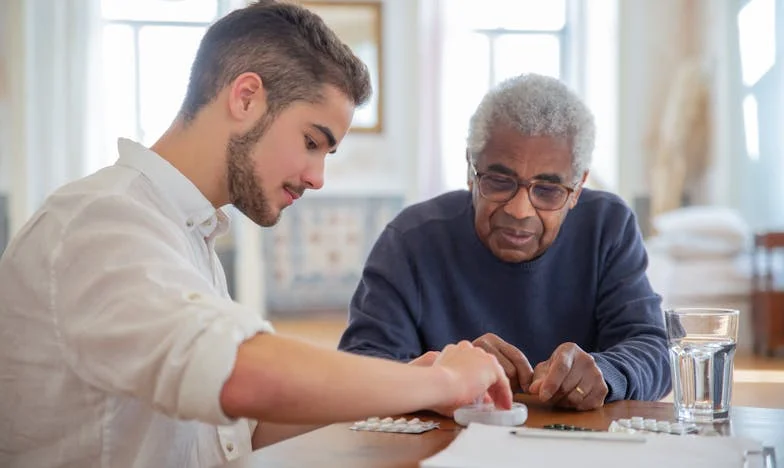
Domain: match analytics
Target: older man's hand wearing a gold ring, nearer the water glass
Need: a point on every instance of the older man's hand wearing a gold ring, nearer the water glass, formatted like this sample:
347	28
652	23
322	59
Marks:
570	378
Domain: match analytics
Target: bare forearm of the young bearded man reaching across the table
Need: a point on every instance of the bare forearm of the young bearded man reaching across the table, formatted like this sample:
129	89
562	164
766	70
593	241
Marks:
279	380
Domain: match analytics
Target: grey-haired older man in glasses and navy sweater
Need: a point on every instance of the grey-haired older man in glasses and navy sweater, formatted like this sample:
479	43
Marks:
527	263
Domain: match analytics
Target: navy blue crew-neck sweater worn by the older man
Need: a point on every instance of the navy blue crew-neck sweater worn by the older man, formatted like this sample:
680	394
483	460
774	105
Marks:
429	282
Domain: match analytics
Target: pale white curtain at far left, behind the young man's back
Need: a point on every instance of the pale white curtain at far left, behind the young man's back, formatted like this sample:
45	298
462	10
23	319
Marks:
53	132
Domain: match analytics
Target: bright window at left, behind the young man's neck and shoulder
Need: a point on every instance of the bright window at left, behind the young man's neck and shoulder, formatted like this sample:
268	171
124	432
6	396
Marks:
149	46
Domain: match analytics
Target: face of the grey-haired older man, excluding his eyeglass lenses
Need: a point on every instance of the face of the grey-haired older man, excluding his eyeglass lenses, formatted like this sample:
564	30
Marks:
516	231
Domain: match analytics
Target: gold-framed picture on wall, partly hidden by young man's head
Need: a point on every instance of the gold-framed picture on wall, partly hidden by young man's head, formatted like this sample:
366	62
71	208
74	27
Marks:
358	24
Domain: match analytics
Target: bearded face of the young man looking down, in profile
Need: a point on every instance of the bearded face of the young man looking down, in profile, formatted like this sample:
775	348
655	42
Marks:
268	174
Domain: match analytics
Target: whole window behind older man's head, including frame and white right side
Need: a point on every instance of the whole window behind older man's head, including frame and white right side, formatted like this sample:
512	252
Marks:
487	41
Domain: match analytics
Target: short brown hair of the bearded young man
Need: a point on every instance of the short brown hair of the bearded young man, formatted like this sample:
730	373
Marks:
289	47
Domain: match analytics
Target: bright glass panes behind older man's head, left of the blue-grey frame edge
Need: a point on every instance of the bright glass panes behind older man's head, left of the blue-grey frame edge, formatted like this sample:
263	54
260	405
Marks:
487	42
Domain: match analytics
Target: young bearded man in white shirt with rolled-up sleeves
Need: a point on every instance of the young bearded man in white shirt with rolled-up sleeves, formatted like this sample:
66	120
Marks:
119	345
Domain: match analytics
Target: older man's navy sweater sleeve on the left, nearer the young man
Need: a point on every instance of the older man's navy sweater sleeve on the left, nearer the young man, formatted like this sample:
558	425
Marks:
382	314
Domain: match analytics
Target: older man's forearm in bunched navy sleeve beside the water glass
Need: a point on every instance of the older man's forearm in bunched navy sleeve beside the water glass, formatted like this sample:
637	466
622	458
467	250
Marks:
636	369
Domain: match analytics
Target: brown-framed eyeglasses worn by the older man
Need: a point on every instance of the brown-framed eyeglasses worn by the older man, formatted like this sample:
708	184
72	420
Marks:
500	188
